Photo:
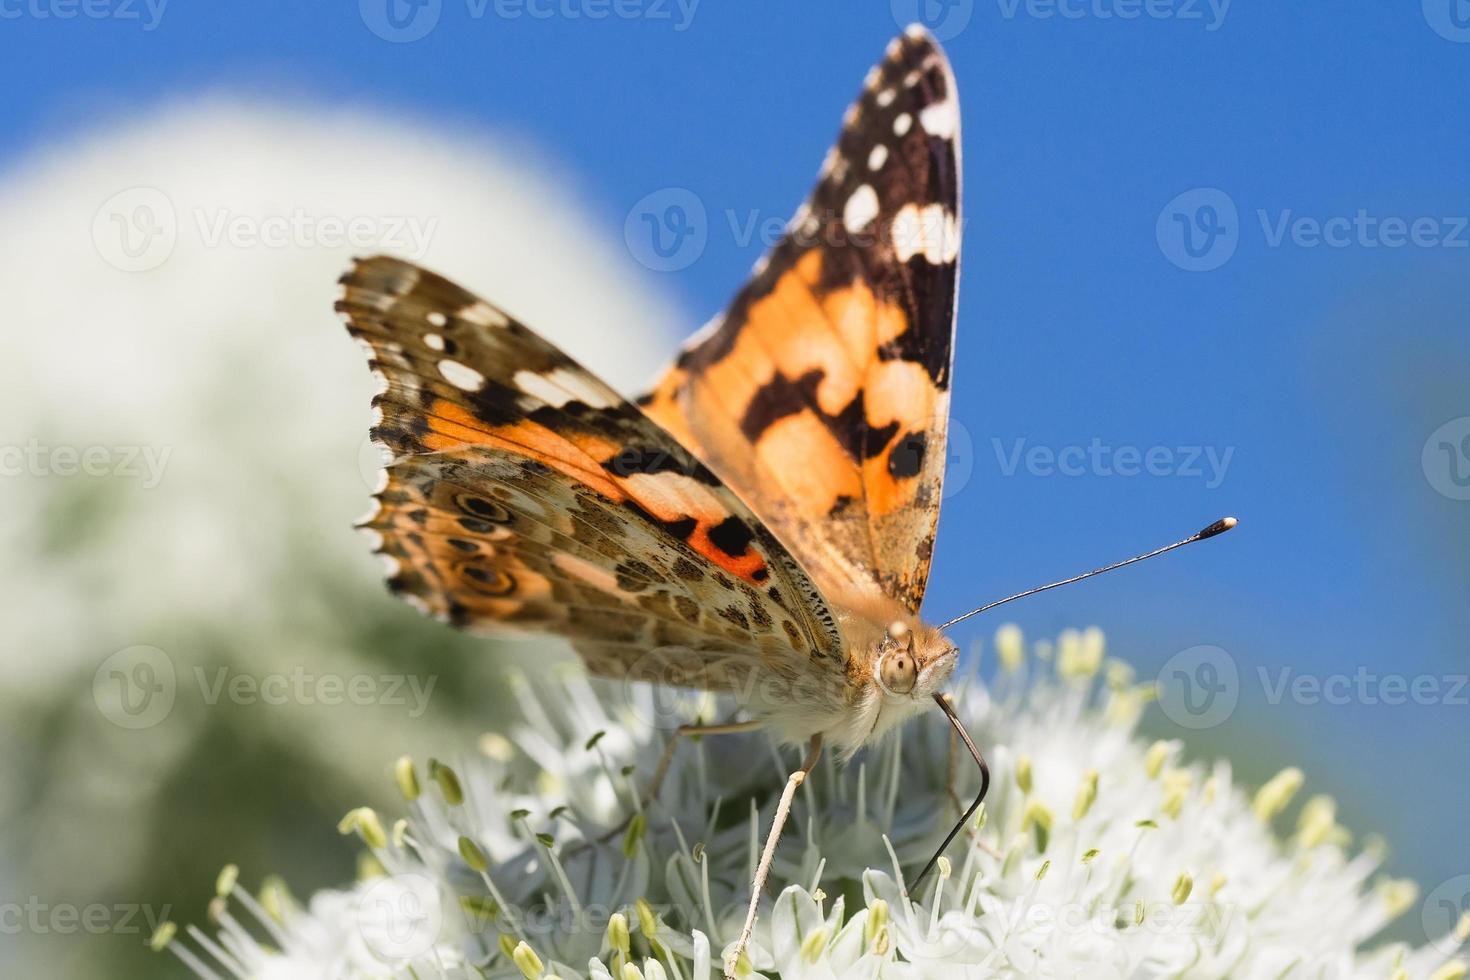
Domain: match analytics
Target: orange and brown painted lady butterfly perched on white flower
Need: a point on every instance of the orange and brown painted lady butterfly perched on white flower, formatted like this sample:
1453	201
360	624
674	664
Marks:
762	522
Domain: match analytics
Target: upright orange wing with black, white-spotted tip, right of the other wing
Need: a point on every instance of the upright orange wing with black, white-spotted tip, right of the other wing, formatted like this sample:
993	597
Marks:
822	394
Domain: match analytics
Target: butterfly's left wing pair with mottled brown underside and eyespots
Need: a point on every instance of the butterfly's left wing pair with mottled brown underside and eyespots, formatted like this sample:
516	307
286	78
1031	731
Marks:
524	494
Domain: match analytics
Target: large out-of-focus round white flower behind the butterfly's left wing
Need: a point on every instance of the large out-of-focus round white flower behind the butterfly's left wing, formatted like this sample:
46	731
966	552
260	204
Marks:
183	449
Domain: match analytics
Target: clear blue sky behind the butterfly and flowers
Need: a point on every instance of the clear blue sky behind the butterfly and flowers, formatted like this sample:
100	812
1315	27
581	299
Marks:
1321	370
